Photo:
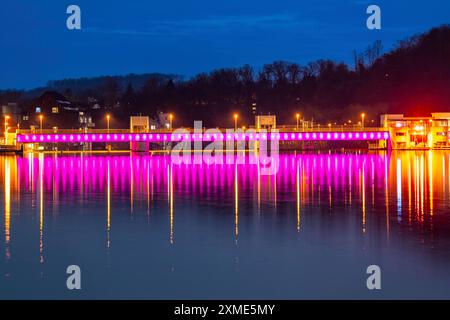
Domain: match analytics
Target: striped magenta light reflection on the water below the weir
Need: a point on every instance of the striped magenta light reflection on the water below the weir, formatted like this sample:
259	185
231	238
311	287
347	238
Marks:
87	175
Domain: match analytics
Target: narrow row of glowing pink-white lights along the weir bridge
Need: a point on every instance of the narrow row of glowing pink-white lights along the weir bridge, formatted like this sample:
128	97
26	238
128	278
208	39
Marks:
143	137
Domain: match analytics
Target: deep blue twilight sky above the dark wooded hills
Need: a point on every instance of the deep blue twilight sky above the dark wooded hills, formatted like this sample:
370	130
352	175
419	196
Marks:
189	36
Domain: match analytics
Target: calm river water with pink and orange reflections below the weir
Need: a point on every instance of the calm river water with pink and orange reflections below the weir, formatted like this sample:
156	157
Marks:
141	227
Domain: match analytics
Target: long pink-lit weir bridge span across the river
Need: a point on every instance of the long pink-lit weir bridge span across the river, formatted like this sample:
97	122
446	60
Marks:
140	141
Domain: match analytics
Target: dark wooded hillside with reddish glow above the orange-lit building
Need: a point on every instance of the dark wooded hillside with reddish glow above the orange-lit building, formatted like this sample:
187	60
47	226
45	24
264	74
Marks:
413	78
